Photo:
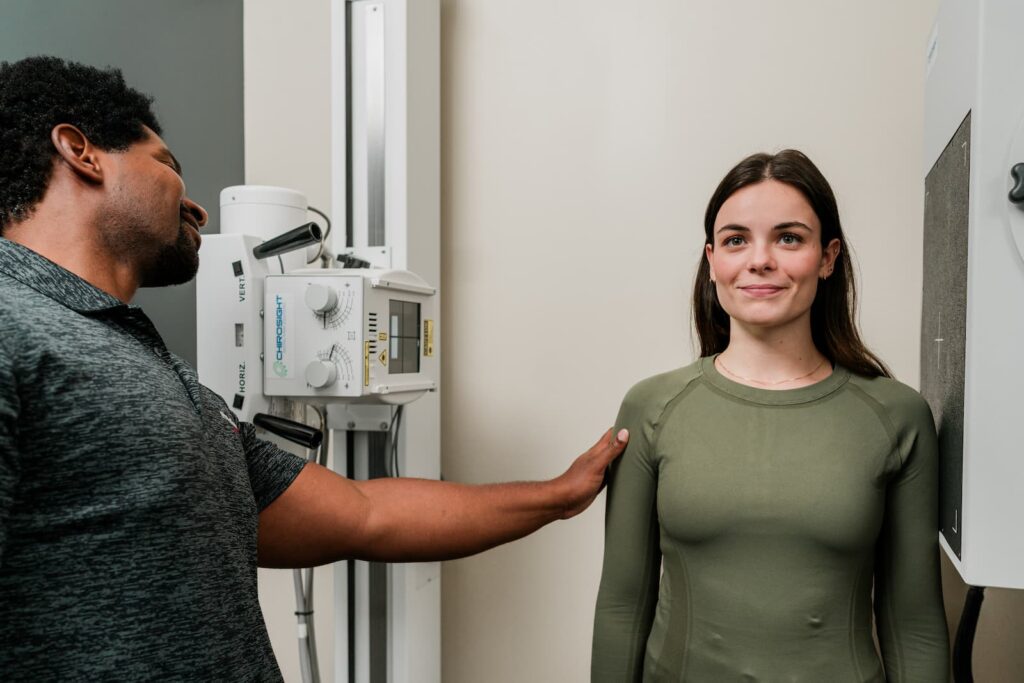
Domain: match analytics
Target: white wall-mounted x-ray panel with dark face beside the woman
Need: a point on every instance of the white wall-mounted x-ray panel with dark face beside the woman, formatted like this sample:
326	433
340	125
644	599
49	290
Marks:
973	314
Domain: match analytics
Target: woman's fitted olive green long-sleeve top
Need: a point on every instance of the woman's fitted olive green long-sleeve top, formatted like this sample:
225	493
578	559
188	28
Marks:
746	529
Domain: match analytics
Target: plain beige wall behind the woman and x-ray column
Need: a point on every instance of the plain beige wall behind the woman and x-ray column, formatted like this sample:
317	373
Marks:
581	141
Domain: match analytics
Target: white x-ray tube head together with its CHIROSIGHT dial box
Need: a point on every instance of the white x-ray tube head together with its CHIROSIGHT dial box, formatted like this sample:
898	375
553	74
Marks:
263	333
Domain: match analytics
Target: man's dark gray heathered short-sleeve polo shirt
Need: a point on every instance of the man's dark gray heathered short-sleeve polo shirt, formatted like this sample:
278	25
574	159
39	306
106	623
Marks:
129	496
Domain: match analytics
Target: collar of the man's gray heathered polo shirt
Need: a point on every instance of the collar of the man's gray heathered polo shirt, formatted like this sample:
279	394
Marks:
53	281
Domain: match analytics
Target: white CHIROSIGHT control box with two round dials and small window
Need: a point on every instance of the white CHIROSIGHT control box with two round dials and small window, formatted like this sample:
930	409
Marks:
350	335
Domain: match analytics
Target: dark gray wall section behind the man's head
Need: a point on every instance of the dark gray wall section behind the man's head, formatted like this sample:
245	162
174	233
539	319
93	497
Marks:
188	55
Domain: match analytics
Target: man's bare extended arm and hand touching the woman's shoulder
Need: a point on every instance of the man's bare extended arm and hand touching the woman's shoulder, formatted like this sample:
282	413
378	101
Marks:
324	518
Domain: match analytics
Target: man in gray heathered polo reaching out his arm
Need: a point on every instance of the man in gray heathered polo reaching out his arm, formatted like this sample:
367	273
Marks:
133	515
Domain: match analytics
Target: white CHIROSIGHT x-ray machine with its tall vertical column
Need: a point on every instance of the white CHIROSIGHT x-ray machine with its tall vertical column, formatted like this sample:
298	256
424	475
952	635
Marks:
348	320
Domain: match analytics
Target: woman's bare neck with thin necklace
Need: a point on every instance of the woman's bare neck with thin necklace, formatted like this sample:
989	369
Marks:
777	359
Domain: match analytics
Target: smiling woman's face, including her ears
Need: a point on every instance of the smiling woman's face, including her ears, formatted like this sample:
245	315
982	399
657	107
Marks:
766	257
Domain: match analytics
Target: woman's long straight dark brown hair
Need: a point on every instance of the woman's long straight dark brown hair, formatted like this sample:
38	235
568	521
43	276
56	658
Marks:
833	313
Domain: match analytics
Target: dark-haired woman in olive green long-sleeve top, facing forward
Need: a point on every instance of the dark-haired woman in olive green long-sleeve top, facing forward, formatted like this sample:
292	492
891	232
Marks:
769	487
